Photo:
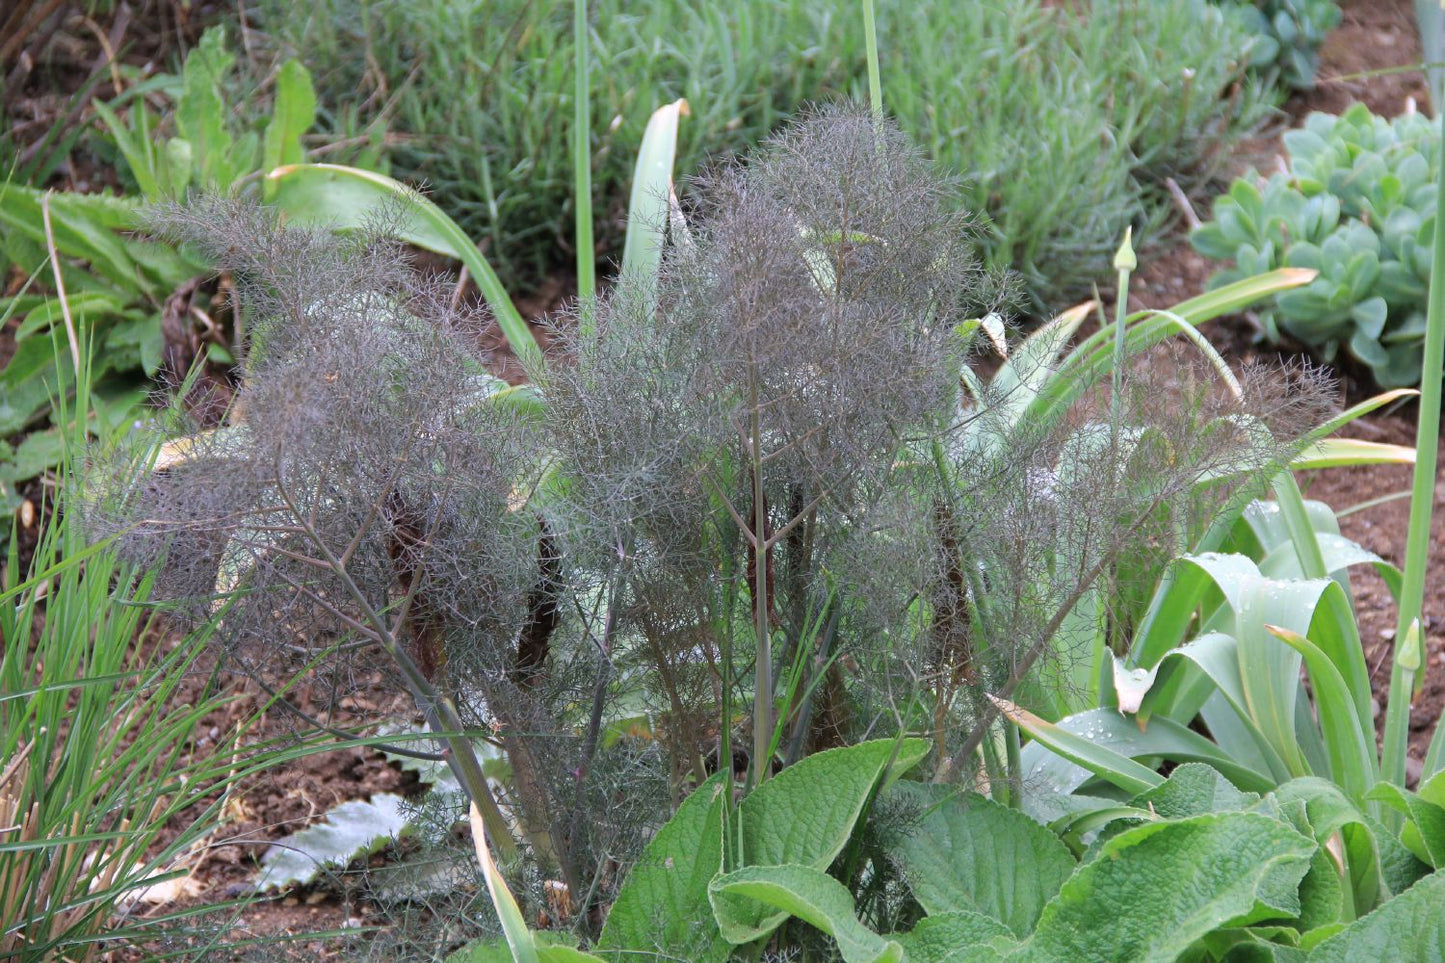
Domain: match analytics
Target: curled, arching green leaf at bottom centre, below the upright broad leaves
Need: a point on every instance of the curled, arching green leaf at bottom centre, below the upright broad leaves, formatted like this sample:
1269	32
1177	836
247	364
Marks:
808	894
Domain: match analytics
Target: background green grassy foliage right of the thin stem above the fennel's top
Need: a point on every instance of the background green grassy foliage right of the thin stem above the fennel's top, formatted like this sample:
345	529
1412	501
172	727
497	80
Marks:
1067	121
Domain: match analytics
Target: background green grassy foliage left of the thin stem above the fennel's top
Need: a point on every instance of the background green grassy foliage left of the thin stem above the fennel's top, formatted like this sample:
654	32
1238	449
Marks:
482	95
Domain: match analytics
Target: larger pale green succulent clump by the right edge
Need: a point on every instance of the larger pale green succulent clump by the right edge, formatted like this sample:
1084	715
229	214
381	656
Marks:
1358	205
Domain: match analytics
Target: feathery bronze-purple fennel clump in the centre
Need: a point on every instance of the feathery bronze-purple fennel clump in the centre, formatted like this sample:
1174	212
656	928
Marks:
762	511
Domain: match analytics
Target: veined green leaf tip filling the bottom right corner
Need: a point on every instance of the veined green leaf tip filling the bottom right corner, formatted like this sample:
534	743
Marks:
1408	928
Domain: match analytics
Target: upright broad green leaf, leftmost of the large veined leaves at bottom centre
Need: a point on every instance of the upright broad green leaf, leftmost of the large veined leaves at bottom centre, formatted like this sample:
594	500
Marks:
667	893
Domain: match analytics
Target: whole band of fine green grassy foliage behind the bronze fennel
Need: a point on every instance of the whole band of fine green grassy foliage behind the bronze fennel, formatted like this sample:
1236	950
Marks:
1064	124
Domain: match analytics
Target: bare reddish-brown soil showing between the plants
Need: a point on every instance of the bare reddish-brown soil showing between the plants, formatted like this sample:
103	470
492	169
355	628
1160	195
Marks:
1376	35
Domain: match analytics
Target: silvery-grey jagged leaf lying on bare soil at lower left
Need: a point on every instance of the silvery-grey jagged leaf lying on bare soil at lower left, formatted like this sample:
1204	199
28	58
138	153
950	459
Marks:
348	834
